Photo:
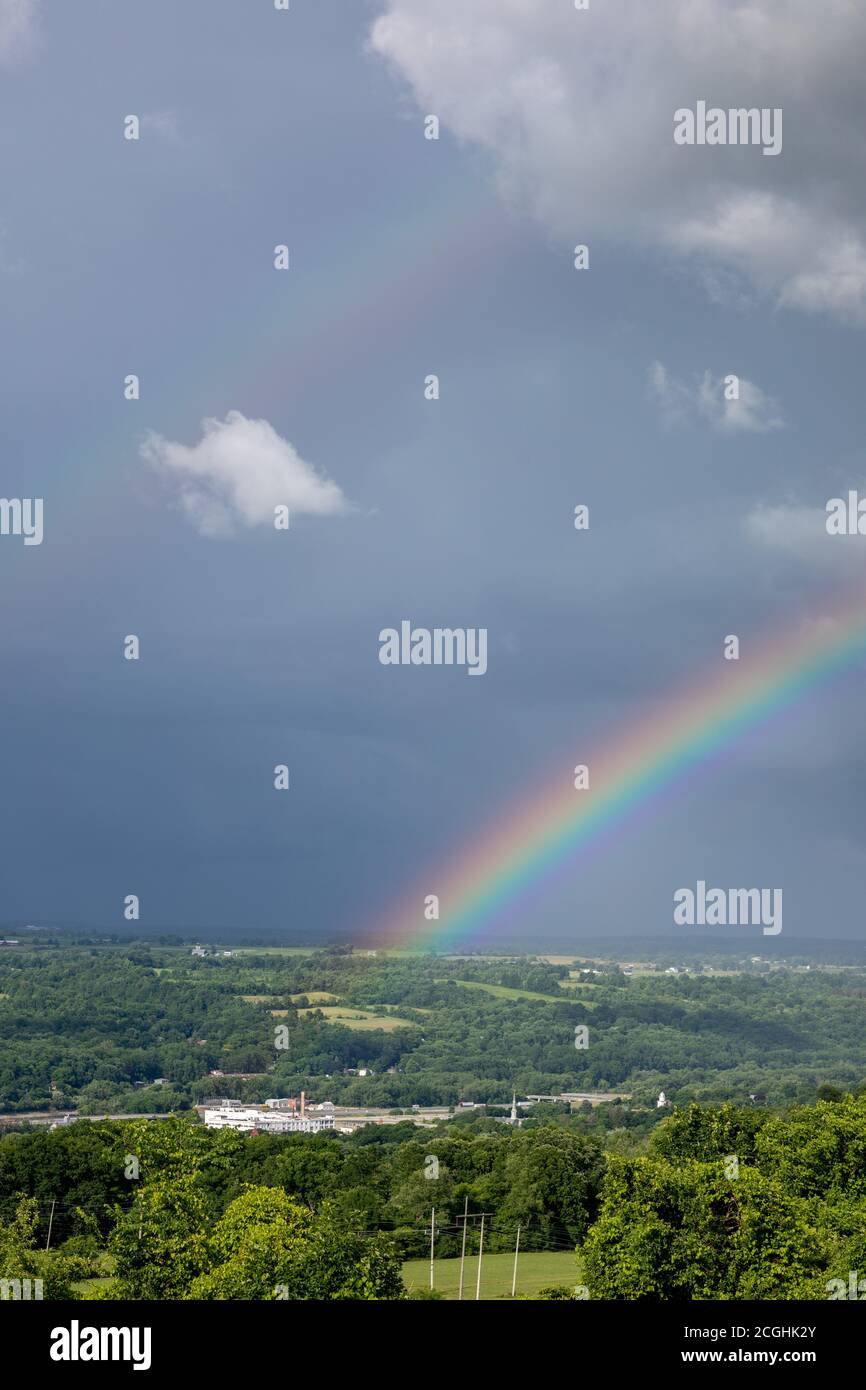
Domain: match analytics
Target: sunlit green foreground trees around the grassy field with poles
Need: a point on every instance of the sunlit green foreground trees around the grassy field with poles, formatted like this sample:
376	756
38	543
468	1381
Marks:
718	1203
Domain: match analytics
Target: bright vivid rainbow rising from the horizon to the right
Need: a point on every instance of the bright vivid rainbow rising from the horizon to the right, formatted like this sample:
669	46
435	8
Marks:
557	822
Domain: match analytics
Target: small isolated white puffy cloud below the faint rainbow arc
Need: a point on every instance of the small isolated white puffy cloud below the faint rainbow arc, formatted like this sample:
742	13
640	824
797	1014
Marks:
238	473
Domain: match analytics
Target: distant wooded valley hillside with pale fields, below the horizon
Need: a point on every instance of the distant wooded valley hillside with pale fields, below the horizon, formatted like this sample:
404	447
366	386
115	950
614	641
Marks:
141	1028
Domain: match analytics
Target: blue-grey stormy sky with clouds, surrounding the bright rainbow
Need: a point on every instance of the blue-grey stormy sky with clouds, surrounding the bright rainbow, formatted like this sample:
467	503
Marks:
408	258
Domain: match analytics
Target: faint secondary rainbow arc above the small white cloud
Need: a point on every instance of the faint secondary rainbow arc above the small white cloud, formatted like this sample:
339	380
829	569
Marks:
304	333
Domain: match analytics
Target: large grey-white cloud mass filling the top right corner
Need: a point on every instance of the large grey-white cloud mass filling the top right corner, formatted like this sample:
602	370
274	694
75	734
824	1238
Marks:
576	109
